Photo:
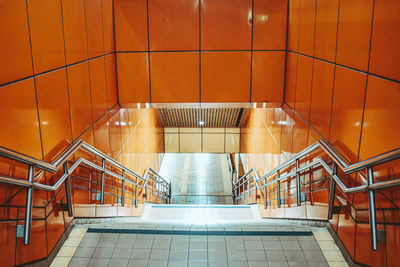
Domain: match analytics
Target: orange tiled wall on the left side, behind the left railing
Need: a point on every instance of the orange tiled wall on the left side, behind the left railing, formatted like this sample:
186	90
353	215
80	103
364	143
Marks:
57	78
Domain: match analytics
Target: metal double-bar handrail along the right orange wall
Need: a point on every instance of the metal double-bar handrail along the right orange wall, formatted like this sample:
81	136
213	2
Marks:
243	183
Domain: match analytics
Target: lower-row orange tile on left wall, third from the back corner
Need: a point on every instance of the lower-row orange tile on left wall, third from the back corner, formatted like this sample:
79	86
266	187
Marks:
80	102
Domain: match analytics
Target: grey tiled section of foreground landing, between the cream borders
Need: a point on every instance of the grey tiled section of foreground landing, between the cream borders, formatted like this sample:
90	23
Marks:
107	249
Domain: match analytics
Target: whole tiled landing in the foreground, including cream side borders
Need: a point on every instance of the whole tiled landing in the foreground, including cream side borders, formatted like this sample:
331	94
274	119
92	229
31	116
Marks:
110	249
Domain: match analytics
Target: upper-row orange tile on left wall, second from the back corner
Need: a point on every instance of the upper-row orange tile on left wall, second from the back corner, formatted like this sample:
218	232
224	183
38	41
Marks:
94	28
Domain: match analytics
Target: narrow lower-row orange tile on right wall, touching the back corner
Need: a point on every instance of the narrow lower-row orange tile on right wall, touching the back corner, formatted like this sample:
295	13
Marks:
291	76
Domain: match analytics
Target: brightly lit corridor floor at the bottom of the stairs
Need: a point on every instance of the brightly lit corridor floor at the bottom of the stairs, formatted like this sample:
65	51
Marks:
198	178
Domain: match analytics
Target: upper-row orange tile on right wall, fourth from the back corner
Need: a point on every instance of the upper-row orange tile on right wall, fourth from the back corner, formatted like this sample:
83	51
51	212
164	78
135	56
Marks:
354	33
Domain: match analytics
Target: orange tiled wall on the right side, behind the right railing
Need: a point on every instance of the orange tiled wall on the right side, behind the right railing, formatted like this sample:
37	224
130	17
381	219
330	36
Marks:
342	84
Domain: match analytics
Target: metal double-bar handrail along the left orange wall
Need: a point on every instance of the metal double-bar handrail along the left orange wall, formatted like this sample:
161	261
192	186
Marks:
159	185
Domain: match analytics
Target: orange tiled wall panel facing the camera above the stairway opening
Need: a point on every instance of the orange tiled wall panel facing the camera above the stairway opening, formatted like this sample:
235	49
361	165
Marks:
200	50
